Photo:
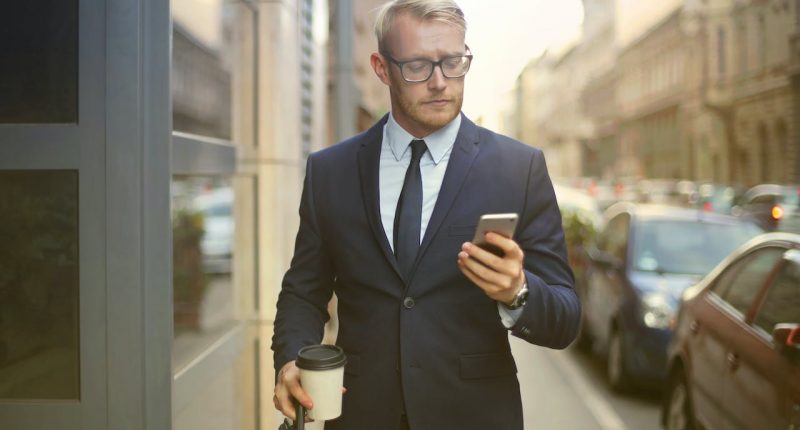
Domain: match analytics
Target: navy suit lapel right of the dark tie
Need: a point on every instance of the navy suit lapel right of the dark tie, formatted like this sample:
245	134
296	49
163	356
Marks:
465	149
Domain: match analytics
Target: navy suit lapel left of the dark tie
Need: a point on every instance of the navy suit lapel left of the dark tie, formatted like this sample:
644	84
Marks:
368	166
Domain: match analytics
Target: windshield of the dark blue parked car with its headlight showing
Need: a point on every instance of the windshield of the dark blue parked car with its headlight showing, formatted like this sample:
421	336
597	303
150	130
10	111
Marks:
691	247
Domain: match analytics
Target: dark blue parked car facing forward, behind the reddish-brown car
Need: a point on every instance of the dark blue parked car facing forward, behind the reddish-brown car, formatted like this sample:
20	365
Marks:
644	258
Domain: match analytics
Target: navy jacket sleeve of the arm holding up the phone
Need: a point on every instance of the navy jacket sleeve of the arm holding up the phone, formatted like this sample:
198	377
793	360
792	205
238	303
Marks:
551	315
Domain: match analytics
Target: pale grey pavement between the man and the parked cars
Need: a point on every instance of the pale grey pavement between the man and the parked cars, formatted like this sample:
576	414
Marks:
567	390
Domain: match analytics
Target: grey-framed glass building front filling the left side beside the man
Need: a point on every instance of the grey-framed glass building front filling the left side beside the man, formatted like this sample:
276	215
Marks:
159	150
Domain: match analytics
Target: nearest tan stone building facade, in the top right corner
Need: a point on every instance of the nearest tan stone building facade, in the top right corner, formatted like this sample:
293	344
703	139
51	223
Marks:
747	90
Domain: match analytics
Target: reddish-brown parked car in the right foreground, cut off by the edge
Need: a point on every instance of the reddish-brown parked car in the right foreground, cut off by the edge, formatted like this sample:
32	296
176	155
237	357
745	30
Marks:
735	356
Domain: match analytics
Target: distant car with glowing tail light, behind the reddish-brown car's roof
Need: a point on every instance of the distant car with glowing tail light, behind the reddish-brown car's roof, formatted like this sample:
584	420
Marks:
773	207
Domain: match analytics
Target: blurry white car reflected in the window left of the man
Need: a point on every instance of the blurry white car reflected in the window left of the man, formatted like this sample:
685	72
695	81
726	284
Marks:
216	206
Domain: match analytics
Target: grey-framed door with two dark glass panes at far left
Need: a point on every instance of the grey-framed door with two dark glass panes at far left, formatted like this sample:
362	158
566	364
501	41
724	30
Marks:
52	195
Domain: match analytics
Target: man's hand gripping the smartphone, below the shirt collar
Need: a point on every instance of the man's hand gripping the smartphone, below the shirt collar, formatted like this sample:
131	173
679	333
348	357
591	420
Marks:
499	277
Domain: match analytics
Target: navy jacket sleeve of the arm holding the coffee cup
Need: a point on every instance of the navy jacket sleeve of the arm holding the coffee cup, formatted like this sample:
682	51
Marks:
307	286
